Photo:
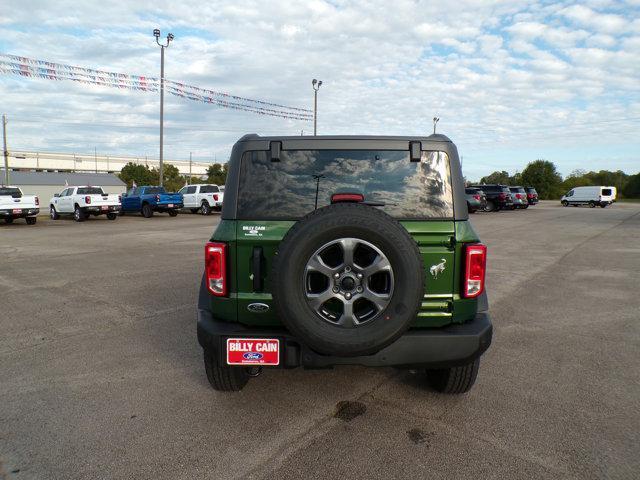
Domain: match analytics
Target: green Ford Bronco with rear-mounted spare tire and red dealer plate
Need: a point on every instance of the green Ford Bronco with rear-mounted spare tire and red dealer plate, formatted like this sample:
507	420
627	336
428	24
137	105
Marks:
344	250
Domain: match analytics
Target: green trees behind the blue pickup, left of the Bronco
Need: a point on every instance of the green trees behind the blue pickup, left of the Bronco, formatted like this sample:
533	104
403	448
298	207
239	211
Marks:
173	180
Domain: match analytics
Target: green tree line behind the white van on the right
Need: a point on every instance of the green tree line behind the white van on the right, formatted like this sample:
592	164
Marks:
544	177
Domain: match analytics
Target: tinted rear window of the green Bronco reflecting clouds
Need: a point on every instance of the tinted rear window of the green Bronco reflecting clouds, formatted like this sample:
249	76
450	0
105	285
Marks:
287	190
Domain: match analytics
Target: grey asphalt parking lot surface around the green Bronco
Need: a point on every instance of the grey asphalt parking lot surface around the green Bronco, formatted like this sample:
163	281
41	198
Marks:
101	375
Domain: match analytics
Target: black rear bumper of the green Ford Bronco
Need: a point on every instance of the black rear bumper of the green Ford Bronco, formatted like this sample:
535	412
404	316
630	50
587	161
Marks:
453	345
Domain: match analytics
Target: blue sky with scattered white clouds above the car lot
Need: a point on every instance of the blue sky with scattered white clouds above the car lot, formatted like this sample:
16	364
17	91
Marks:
511	81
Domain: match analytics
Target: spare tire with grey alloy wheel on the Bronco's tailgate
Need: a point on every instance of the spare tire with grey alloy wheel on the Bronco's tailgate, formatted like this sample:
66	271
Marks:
347	280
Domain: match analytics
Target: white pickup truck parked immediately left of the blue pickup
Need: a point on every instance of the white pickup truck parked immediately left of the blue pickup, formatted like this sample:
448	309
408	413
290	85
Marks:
84	201
